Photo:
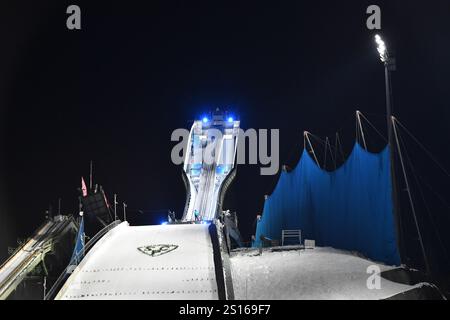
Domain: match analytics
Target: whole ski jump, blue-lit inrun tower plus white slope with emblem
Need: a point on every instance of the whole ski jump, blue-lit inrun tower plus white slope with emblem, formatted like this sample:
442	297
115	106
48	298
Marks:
188	260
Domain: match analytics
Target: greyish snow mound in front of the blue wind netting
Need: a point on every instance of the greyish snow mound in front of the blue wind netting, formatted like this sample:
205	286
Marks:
320	273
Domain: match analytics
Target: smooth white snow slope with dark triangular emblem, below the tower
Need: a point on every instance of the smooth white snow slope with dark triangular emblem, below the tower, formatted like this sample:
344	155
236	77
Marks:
147	262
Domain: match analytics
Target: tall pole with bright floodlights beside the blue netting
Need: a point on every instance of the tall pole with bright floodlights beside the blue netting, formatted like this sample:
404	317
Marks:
389	66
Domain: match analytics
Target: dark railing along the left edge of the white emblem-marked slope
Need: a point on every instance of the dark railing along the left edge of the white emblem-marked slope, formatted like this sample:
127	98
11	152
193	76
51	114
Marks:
77	259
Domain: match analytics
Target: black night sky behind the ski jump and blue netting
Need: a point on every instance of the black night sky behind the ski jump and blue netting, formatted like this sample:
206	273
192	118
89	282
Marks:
114	91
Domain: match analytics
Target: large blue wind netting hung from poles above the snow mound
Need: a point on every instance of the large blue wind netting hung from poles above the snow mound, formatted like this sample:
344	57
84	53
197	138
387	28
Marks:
350	208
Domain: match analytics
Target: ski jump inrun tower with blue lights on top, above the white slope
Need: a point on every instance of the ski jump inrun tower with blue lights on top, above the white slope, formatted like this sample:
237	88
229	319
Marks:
209	165
